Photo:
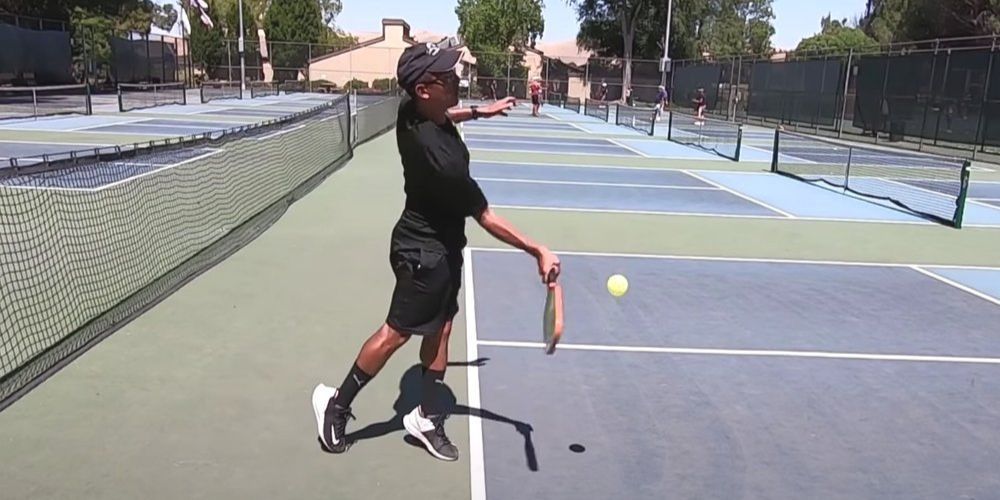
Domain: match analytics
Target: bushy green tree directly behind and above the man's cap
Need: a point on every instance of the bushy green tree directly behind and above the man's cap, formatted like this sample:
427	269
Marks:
491	28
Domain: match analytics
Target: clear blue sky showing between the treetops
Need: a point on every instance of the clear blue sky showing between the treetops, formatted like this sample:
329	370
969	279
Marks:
794	19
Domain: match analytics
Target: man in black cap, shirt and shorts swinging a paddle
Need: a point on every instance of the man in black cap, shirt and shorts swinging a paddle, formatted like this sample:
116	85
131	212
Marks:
426	247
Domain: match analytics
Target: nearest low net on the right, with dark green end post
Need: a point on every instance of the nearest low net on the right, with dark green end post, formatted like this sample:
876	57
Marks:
932	187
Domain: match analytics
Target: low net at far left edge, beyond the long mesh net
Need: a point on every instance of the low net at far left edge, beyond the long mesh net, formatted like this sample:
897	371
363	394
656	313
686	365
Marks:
33	102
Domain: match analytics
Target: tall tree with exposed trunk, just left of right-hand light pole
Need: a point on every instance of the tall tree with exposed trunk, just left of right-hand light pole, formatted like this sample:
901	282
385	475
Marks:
626	15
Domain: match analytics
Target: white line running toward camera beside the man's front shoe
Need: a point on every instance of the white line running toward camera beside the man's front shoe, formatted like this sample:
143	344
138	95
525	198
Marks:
477	459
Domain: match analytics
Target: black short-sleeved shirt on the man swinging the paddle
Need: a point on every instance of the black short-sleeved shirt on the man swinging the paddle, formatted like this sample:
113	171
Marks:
440	192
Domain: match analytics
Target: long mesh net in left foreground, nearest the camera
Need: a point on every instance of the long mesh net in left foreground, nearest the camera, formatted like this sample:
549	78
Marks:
89	243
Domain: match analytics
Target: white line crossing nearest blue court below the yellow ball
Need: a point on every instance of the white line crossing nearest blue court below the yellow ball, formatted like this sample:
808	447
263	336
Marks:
752	353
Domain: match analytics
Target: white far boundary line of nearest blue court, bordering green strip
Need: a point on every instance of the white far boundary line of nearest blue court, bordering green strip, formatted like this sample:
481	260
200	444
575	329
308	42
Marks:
763	260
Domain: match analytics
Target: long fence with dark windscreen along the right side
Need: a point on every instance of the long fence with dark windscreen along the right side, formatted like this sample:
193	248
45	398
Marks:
940	96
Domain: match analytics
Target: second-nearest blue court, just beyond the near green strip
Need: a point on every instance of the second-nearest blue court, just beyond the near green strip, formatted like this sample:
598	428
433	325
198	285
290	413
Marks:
694	192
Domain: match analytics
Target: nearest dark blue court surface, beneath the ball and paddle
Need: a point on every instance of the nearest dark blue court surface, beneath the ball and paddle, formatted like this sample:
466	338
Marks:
729	378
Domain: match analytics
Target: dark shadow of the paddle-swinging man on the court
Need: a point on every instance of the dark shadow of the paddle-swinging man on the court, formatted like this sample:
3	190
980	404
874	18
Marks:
410	396
